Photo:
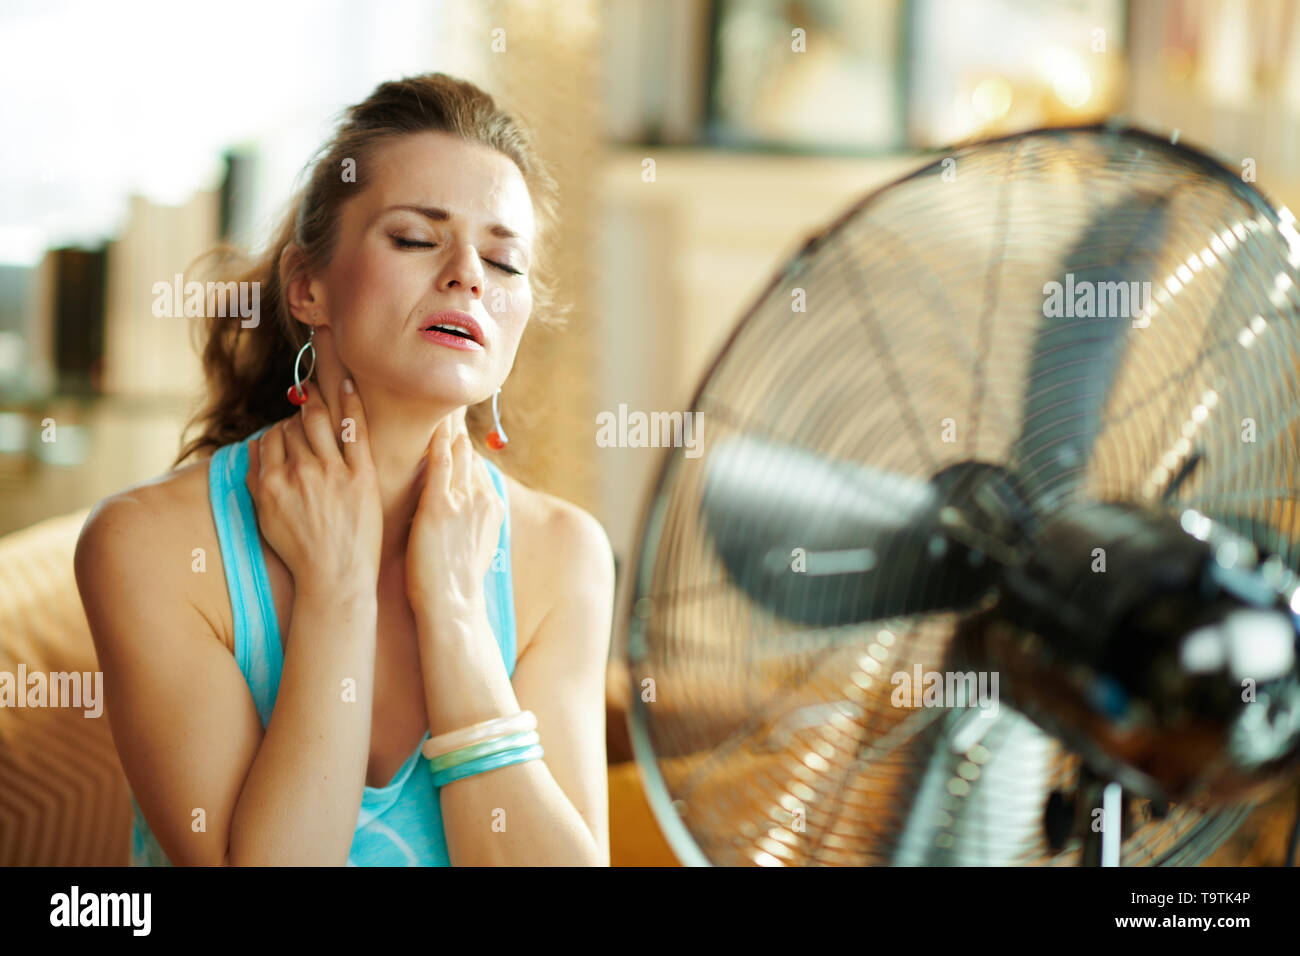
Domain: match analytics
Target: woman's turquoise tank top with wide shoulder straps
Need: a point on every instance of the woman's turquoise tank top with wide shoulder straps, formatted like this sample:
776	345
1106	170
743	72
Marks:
400	824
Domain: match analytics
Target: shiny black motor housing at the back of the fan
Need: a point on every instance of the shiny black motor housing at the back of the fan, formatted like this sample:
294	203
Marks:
1102	639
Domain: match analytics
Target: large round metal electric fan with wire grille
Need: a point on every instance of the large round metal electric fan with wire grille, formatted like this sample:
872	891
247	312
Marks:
990	553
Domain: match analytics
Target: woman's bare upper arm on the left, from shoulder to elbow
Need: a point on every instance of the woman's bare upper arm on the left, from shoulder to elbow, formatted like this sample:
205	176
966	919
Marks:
183	719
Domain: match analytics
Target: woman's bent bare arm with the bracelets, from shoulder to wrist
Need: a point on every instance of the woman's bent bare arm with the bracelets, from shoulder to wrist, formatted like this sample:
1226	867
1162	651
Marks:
554	811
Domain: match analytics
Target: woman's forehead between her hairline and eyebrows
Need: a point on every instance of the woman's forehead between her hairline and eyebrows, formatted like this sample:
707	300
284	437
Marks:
470	180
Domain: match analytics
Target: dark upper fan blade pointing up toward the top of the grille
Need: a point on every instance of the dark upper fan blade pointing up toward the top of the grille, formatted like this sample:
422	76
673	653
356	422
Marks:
1076	358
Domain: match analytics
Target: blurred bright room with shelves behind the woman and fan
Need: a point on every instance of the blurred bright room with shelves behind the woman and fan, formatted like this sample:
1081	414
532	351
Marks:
140	135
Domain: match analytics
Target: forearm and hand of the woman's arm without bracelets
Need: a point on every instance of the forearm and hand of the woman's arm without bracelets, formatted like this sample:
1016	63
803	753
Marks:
320	511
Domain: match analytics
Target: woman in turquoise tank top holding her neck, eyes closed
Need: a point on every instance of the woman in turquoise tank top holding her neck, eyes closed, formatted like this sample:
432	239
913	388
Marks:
276	711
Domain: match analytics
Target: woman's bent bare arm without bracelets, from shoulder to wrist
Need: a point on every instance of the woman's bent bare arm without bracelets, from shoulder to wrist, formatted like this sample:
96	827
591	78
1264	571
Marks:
213	786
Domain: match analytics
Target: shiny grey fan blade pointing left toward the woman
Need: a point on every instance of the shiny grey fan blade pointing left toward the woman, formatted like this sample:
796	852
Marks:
833	543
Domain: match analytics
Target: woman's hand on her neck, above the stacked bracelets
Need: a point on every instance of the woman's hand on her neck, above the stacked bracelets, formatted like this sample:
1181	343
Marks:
456	529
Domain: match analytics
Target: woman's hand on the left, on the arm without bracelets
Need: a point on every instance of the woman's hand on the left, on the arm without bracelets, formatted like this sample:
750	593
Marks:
318	507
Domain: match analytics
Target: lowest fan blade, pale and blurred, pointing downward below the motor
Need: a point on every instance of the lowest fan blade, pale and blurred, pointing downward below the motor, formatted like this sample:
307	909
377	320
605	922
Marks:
989	814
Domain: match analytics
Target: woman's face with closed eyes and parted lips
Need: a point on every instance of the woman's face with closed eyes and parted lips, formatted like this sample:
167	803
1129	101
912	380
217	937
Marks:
430	233
